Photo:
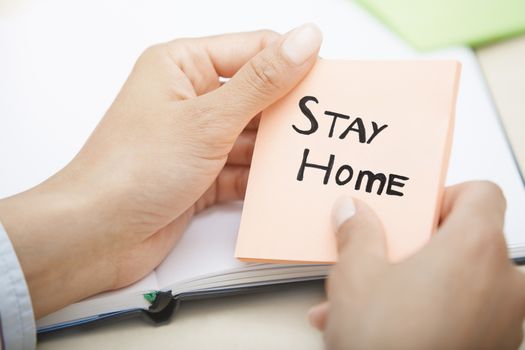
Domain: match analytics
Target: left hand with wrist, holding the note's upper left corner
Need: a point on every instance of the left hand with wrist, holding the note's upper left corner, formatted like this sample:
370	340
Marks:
174	142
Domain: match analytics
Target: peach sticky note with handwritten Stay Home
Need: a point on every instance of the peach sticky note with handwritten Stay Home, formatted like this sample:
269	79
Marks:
379	131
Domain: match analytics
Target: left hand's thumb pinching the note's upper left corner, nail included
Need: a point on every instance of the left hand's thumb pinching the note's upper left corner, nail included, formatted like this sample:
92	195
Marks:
268	76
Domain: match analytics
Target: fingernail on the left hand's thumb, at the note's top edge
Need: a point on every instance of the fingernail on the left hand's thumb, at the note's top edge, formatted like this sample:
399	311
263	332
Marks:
301	43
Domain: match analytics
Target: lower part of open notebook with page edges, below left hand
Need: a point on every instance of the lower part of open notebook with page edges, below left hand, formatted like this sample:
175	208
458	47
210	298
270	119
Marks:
202	262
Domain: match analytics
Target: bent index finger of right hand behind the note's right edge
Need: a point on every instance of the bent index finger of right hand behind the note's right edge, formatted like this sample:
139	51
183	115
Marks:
471	228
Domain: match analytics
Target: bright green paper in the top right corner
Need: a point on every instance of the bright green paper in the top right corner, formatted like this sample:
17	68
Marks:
430	24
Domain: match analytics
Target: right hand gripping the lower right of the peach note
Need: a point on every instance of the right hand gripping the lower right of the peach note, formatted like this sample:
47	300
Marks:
459	292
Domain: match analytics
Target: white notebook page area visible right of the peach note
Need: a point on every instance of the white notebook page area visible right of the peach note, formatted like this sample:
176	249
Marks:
480	150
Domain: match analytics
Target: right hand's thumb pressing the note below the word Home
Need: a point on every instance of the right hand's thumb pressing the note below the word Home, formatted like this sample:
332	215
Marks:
360	235
